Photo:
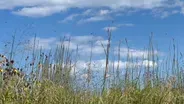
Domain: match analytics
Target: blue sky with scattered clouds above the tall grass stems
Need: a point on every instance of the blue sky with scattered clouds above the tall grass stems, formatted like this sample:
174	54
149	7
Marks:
86	21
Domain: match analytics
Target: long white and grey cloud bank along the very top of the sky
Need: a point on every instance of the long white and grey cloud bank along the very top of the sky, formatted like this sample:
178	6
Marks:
42	8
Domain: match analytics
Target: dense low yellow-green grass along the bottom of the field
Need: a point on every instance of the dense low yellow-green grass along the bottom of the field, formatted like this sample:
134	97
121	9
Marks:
49	93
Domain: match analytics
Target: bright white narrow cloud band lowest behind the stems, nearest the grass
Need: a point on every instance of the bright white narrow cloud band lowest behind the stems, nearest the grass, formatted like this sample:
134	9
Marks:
99	65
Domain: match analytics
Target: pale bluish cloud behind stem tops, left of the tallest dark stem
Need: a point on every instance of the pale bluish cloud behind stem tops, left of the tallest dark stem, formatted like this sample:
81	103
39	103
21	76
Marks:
83	43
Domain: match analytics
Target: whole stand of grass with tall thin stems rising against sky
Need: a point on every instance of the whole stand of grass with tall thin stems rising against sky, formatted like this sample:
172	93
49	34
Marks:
55	83
